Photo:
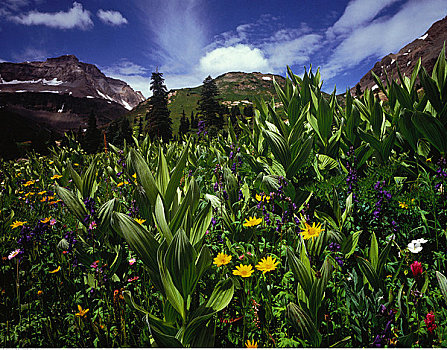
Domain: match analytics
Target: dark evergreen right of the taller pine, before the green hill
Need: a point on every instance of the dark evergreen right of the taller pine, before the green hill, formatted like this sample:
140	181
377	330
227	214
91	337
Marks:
209	107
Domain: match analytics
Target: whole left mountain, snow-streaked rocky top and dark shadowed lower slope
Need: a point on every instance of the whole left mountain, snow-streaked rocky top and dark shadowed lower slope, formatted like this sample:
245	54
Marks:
58	95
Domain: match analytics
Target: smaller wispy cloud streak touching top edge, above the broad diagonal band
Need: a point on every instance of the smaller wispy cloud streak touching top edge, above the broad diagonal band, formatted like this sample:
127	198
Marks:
358	13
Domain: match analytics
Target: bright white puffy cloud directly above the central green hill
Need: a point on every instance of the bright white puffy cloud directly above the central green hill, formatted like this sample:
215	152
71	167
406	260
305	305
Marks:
233	58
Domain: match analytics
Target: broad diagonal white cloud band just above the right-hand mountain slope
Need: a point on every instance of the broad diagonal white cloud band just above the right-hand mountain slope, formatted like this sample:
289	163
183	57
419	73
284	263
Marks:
384	35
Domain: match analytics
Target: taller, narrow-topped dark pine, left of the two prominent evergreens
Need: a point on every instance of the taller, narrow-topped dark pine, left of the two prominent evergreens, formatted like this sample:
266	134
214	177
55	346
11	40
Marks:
159	122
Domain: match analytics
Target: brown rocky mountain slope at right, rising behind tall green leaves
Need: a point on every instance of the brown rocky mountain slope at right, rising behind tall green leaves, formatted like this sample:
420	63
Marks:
426	47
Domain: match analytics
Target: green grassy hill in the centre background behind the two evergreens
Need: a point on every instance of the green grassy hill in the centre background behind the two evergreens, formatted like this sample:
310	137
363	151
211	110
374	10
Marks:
235	89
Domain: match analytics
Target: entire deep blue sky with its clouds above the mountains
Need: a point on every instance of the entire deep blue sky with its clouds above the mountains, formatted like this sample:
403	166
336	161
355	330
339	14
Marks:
190	39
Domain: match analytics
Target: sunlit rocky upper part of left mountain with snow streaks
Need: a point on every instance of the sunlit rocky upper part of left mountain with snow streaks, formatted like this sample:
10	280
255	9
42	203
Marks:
66	75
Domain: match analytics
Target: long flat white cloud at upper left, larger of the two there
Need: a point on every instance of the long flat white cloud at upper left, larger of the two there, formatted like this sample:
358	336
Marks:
76	17
